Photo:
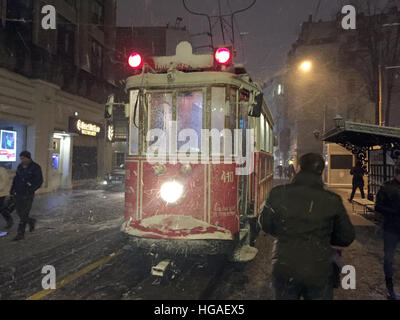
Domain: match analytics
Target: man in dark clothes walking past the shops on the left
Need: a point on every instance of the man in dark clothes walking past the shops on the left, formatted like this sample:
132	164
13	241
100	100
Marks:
27	180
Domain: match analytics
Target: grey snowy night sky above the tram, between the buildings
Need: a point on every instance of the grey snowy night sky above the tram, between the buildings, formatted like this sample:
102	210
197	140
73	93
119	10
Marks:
272	25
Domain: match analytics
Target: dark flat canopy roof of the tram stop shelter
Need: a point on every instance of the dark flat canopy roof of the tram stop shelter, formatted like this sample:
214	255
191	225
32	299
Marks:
363	135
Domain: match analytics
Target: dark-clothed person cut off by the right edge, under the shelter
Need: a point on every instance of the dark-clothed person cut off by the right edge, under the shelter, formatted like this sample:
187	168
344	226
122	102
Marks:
388	204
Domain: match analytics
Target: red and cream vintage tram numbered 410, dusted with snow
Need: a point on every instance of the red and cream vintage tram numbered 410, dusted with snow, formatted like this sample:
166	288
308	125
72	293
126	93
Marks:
181	197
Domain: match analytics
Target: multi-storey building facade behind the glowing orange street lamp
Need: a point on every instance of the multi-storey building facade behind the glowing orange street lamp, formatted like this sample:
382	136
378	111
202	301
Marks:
331	72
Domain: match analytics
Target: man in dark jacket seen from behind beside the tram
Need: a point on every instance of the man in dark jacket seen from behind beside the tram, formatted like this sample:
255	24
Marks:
306	221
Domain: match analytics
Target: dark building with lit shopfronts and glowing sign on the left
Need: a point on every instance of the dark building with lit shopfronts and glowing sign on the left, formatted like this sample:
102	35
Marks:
53	87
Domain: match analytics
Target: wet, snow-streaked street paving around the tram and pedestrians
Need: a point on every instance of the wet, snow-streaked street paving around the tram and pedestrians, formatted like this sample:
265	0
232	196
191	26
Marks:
78	232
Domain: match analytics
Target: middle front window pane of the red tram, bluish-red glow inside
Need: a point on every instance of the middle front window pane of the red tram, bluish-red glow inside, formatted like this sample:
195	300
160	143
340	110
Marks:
190	117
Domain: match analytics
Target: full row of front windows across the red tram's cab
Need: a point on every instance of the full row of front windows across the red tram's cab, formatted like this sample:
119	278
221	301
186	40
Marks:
156	112
